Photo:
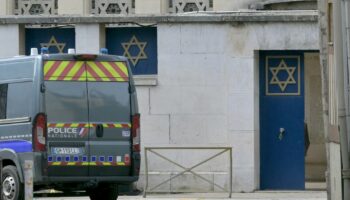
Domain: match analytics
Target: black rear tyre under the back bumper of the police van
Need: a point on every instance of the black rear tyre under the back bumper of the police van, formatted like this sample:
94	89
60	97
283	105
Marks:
105	192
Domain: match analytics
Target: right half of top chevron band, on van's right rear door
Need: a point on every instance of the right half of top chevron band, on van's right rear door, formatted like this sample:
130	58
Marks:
107	71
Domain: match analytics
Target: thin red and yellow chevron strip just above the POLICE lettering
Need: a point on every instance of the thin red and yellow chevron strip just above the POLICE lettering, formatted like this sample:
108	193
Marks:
88	125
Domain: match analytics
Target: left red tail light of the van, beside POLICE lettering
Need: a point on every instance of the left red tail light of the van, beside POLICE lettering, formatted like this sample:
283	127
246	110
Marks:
39	132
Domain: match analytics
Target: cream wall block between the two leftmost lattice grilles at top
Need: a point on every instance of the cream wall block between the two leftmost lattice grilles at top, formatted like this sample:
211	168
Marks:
76	7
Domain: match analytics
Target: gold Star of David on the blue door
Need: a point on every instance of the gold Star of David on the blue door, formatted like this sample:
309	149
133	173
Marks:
276	81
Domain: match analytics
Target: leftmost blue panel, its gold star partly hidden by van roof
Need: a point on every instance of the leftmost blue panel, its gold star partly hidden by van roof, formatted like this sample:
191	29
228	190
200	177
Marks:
59	40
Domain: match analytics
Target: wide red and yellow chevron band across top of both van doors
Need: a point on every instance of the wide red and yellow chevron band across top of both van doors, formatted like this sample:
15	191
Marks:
85	71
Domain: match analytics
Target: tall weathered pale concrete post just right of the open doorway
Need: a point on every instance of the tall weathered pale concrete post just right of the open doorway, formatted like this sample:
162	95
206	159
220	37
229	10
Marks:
329	101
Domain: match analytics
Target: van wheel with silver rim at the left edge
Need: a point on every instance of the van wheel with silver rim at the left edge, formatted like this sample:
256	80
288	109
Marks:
12	188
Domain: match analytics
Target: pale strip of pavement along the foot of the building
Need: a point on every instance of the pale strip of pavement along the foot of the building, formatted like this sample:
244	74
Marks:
263	195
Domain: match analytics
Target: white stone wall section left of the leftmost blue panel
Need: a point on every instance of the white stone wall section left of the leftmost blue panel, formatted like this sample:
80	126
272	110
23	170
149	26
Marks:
14	39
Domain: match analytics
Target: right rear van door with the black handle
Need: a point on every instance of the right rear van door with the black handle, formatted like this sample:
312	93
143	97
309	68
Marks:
109	115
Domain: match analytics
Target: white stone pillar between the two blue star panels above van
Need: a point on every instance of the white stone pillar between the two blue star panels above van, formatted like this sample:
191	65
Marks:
90	38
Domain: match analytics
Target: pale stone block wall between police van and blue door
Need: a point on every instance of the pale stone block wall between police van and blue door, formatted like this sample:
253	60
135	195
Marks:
208	95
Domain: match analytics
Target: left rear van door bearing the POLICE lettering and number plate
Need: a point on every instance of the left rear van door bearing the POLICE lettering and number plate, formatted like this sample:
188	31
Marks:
66	103
